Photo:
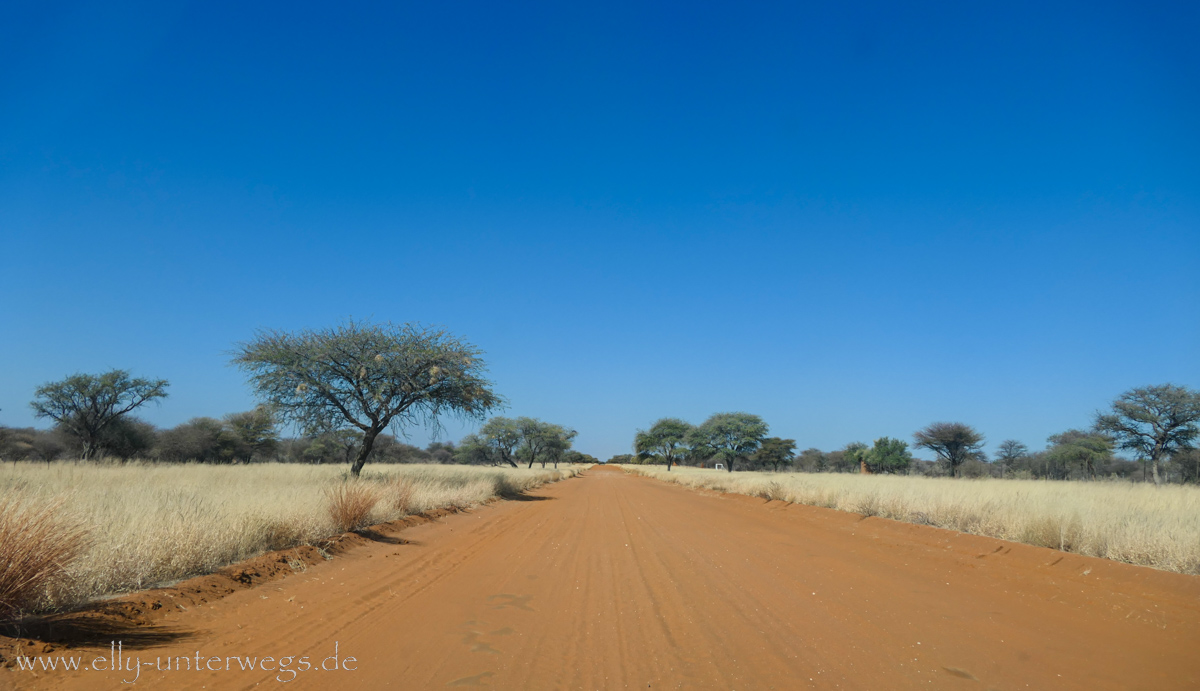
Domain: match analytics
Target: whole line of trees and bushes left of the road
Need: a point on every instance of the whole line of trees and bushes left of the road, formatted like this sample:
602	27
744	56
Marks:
343	388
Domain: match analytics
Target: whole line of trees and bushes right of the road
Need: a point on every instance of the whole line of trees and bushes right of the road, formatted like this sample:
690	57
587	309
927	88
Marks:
1160	425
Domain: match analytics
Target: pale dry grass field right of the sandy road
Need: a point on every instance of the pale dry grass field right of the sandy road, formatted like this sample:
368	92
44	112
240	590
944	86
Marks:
1133	524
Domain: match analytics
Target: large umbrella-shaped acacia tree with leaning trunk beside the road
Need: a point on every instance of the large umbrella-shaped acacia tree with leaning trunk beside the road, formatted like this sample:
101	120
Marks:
367	377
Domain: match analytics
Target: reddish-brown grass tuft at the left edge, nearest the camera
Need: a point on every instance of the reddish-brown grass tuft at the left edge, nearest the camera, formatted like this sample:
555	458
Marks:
38	544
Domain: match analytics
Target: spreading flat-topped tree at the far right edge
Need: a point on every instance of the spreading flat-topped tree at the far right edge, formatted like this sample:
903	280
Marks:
1154	422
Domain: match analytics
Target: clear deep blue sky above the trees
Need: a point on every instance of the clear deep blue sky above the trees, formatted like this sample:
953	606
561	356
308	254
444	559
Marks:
854	220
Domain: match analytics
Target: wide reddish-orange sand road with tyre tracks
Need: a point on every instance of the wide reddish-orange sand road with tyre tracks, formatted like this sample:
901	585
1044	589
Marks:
621	582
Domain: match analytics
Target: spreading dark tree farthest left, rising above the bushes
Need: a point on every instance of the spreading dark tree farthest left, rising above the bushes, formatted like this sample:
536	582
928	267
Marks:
85	406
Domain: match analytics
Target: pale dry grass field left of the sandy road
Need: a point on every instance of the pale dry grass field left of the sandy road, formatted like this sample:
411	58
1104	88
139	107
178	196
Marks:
152	525
